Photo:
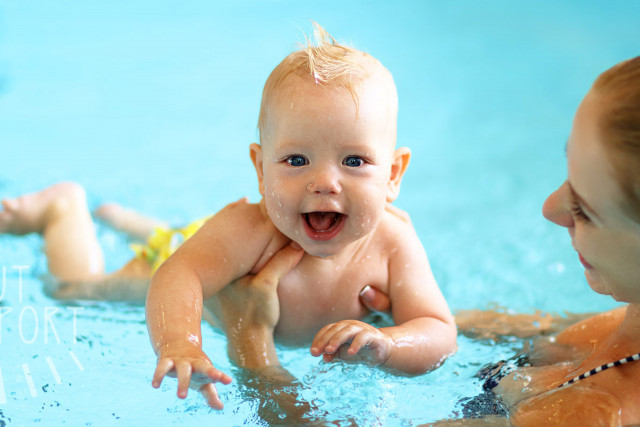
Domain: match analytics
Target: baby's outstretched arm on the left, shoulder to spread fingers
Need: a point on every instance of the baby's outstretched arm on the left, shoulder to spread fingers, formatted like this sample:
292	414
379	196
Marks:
215	256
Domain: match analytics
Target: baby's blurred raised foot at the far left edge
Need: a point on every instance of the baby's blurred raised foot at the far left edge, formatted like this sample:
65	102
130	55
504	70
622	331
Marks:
31	212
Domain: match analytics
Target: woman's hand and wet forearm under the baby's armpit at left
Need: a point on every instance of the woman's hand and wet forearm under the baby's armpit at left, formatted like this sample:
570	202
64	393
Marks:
249	310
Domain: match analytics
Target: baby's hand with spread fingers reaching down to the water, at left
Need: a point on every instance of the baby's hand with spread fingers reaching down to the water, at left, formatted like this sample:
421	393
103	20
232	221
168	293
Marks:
194	370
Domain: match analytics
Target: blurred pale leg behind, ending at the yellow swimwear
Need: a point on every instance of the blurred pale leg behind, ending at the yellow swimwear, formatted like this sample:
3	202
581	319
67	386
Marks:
128	221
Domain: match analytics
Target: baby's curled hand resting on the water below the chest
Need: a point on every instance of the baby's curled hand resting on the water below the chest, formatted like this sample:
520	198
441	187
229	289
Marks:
352	340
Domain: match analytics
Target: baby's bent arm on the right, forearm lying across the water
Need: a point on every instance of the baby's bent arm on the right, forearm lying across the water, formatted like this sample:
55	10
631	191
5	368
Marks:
425	333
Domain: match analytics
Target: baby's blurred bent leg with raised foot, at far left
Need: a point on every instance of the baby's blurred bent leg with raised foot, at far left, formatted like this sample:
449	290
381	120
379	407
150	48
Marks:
61	215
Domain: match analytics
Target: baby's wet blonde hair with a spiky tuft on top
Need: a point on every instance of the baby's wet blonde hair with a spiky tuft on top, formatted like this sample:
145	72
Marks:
325	62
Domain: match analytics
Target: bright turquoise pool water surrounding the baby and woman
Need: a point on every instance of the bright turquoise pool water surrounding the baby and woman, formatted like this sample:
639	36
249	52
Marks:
153	104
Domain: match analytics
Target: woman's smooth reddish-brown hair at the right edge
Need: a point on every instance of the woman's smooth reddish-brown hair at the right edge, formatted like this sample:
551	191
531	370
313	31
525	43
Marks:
619	90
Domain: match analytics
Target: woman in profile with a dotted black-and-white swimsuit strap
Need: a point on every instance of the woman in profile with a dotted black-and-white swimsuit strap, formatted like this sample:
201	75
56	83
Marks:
586	374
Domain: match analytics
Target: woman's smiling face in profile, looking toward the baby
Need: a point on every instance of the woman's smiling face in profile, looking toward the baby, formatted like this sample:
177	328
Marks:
588	205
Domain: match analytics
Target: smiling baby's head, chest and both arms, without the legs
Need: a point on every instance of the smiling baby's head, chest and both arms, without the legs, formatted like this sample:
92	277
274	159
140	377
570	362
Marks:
327	171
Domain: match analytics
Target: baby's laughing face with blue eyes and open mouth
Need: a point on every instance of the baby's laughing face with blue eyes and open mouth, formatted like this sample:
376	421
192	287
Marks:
326	171
